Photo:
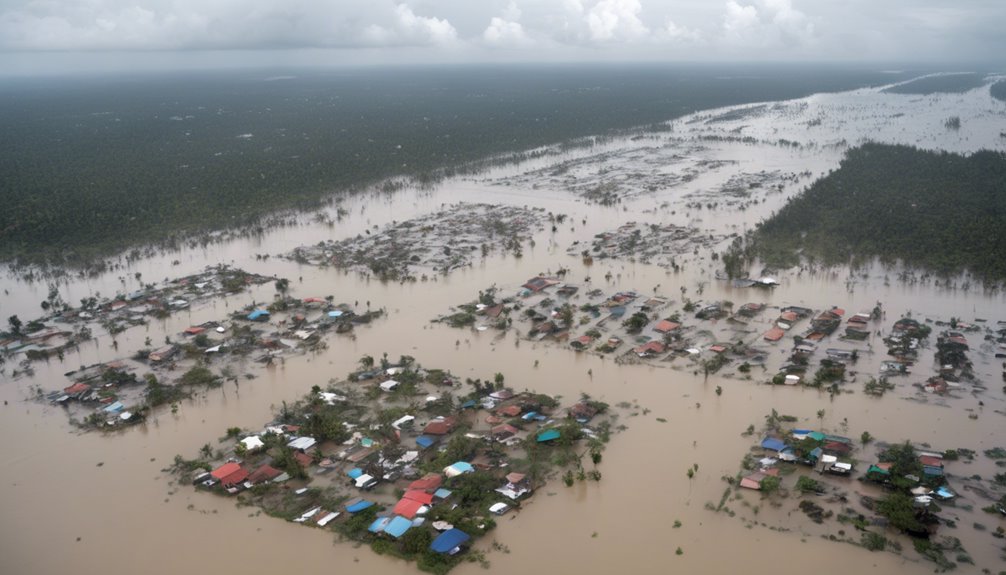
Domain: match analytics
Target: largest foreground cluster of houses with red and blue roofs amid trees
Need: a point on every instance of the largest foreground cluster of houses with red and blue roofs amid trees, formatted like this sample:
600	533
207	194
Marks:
409	460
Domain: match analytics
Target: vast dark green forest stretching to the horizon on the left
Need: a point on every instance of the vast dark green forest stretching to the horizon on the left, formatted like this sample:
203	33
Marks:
92	165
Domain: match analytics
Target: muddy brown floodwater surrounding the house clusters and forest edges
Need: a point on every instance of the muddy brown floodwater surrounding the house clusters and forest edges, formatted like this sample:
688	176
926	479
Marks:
89	502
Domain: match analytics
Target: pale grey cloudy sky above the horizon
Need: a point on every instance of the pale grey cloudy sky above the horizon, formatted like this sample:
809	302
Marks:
362	32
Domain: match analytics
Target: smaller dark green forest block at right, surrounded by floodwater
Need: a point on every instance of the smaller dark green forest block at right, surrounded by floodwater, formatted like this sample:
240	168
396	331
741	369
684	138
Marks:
935	211
